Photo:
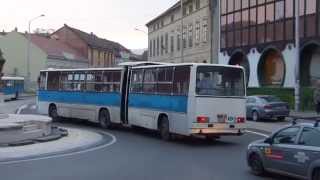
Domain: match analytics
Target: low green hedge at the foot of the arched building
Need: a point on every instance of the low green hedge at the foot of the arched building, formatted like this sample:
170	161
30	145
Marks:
287	95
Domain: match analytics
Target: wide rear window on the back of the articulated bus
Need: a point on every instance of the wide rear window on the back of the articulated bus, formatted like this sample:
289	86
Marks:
220	81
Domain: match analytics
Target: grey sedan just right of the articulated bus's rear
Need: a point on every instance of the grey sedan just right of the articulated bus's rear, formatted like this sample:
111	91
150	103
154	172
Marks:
266	107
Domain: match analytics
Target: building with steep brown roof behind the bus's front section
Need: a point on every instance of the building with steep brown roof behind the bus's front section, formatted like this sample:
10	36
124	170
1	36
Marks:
99	51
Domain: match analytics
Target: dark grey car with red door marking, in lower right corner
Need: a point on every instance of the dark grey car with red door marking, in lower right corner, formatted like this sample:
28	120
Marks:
293	151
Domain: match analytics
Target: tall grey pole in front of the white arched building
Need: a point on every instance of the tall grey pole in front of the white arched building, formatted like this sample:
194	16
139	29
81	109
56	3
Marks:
297	64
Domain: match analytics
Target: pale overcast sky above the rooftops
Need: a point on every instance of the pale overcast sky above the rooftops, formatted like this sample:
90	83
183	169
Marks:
111	19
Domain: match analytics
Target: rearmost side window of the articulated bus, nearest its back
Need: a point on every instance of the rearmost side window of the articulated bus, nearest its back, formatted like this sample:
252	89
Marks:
181	80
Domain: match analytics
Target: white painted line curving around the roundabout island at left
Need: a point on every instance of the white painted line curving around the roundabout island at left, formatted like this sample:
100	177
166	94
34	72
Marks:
114	140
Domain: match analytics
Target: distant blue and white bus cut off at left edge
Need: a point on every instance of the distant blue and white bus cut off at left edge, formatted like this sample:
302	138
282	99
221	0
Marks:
12	87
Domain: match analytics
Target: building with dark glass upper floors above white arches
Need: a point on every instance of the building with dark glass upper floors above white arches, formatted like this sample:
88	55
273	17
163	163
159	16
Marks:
260	35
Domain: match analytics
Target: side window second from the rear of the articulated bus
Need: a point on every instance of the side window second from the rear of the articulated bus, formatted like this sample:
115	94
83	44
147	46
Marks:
165	76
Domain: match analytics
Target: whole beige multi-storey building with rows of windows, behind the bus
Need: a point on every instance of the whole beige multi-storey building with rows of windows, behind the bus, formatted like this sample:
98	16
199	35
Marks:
194	24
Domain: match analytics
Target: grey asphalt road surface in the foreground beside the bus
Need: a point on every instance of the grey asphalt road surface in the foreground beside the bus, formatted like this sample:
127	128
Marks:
141	155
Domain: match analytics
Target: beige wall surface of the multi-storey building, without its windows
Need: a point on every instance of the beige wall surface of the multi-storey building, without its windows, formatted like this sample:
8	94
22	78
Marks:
200	50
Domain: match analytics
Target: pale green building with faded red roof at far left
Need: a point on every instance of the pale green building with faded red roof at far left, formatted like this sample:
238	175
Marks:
44	53
